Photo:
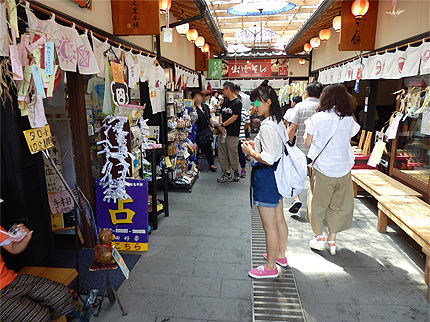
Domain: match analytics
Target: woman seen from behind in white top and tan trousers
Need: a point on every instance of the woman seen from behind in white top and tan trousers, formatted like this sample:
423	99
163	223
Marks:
330	197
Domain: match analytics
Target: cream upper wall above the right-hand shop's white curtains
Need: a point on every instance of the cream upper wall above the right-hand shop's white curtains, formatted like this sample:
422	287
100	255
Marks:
414	21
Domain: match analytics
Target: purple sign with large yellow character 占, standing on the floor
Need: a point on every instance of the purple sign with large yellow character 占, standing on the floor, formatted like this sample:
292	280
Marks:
128	218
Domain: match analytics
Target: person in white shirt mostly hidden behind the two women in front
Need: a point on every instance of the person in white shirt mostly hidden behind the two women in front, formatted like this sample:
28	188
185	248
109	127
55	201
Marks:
297	117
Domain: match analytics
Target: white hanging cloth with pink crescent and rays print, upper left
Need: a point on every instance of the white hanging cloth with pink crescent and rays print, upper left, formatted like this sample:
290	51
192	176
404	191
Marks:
65	44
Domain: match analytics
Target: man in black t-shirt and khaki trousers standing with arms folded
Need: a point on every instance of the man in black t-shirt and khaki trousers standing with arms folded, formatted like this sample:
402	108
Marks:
229	138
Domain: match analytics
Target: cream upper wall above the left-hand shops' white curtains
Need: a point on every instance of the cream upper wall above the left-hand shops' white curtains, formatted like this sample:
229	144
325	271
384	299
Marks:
180	51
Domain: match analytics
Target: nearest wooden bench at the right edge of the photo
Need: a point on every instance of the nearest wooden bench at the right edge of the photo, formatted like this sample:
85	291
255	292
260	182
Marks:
413	216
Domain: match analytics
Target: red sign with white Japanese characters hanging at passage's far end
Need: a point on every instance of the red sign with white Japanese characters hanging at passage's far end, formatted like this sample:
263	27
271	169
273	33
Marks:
249	68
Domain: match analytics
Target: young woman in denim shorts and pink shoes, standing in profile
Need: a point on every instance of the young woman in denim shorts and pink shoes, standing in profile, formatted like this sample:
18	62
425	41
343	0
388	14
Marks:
266	151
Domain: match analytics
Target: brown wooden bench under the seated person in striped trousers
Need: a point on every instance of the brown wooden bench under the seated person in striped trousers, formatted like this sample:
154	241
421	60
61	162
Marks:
64	276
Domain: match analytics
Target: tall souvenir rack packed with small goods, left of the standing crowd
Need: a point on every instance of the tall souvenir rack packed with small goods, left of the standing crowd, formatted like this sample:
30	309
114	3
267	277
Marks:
181	150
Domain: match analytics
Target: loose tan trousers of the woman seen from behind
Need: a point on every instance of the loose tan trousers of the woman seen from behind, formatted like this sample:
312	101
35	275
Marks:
332	200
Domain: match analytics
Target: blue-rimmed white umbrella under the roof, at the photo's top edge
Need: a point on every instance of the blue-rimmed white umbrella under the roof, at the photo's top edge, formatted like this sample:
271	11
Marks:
260	7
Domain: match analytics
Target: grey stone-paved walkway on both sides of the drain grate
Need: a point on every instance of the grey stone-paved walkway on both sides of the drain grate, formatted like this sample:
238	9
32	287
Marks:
196	268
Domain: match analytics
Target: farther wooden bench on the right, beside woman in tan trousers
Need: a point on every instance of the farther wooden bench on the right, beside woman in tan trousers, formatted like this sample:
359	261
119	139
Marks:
379	184
